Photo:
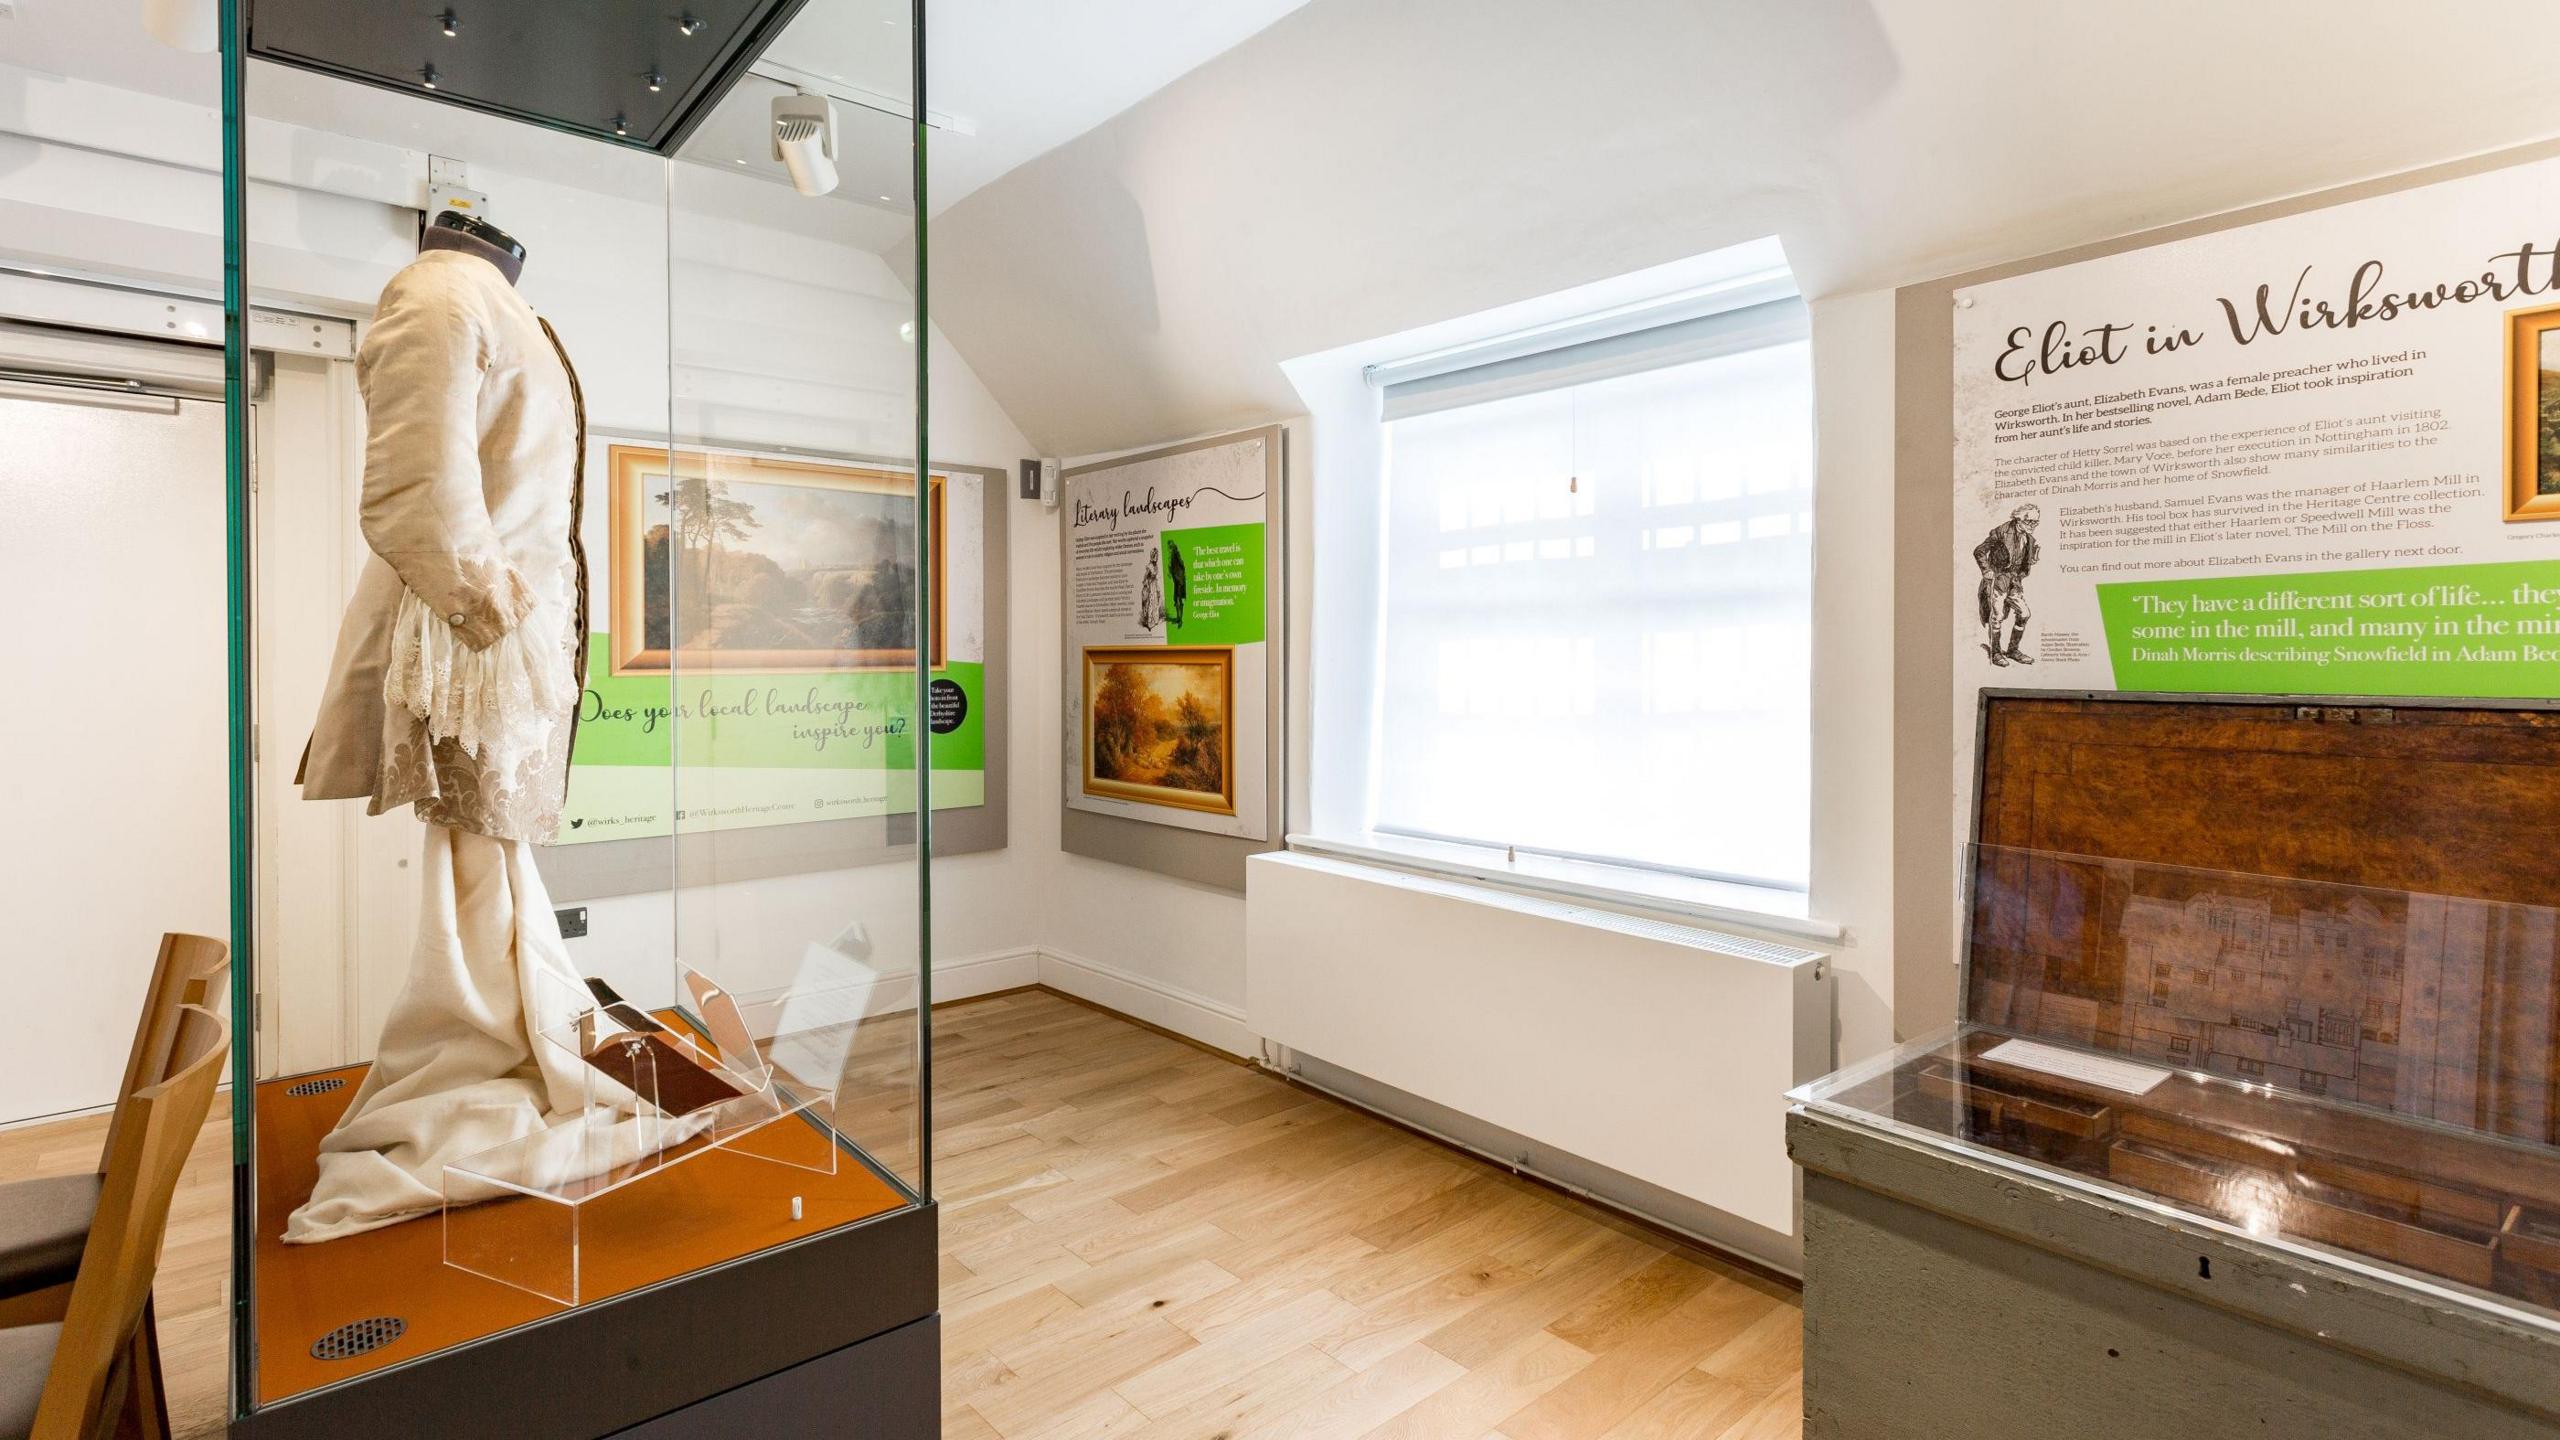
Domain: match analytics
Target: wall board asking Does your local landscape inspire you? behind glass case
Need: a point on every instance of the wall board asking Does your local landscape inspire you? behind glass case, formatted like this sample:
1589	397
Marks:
756	609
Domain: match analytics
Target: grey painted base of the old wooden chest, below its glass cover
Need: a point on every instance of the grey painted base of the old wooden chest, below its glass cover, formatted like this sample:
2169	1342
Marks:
1932	1321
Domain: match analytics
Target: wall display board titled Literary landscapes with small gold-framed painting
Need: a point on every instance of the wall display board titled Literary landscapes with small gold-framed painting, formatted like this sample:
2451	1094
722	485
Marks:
1171	568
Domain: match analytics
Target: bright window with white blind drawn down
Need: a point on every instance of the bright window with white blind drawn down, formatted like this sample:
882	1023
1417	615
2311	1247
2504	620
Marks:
1599	601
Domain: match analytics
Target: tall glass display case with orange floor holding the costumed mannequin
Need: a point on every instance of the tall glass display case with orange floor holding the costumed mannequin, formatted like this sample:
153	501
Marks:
600	634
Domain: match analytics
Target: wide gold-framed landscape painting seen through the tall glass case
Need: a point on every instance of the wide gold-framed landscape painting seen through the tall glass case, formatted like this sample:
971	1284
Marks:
780	601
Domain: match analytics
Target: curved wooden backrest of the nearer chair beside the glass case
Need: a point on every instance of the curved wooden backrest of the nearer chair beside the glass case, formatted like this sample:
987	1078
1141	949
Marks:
155	1131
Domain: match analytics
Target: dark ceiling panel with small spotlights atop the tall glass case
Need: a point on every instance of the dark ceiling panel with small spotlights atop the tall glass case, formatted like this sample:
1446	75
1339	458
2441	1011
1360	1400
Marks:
639	73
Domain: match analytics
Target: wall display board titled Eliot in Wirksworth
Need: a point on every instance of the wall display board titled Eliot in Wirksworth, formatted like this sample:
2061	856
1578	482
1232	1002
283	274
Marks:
2305	457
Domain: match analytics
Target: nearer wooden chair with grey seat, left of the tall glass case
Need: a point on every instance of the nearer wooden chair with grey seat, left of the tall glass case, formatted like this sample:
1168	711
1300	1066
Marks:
81	1377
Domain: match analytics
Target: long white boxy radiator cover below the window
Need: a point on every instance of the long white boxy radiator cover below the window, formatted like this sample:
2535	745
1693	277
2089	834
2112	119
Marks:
1660	1052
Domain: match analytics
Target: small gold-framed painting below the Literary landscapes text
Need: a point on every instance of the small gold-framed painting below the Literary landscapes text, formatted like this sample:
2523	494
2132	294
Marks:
1138	747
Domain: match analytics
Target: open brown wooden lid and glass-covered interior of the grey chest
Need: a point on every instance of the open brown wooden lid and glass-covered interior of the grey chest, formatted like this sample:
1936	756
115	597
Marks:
2277	967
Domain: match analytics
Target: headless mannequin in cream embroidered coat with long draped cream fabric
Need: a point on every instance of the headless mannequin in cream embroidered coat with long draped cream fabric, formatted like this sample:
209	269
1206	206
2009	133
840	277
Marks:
454	691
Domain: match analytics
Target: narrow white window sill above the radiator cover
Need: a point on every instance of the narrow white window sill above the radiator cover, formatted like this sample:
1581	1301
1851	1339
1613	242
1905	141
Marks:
1714	903
